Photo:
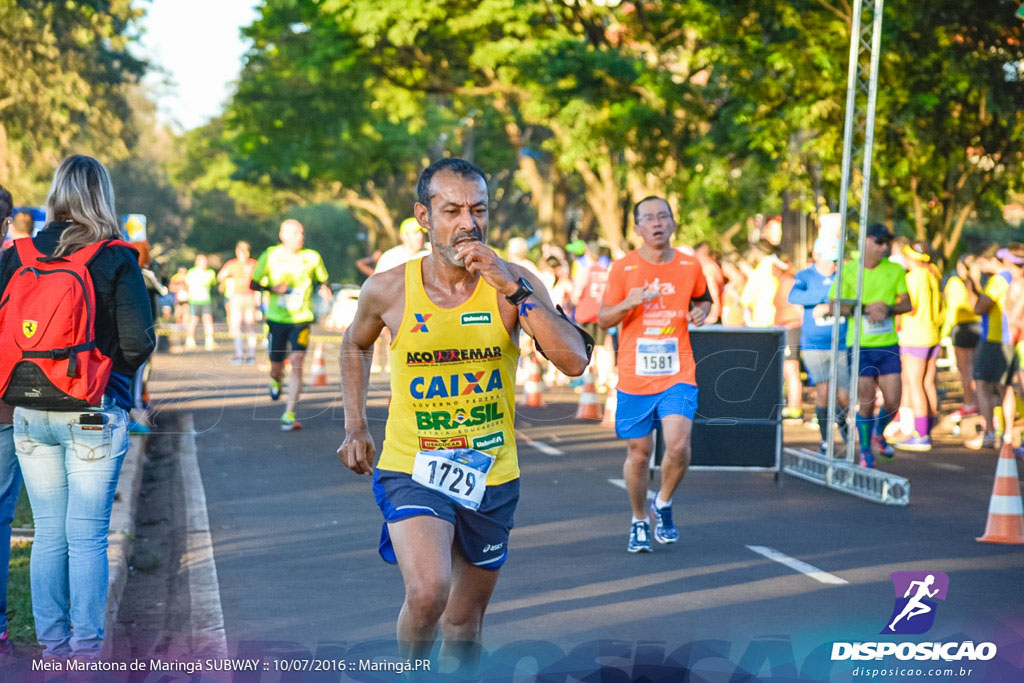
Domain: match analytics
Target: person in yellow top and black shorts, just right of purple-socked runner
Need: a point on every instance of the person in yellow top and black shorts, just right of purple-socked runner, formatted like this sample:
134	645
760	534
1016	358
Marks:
963	327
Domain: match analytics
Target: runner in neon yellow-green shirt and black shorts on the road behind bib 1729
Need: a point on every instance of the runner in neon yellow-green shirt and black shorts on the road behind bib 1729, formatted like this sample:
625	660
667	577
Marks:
290	274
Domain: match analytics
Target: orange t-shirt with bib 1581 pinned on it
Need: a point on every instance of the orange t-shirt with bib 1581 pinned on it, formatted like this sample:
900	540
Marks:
655	351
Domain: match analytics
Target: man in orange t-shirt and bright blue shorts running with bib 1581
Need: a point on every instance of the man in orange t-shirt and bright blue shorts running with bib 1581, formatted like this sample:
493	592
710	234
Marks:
654	294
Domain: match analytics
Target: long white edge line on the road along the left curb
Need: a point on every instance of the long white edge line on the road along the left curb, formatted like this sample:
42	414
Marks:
207	617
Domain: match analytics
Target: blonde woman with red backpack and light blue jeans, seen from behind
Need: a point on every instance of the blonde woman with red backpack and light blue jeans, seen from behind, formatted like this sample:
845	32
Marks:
75	326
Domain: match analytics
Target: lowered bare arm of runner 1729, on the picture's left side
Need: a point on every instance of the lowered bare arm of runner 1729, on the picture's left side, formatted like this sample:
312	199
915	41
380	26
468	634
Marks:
358	451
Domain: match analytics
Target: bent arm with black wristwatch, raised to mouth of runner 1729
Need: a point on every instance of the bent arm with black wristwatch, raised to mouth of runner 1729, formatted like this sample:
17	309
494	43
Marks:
562	341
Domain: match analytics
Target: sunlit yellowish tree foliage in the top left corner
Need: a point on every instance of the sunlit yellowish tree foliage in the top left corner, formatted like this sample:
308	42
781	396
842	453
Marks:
65	79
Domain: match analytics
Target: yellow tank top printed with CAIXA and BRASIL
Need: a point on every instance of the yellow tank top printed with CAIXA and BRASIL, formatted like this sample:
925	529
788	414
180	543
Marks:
453	381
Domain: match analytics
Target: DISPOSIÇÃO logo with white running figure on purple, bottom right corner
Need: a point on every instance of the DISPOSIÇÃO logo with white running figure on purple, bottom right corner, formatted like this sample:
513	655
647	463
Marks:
914	614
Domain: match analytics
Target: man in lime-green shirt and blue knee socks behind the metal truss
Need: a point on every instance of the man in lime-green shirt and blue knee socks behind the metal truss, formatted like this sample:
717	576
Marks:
885	296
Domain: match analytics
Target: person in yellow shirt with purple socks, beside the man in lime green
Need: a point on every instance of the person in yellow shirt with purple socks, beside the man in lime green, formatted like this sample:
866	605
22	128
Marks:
919	345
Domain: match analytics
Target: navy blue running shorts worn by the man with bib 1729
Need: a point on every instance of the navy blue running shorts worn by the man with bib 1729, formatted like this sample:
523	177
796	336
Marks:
483	534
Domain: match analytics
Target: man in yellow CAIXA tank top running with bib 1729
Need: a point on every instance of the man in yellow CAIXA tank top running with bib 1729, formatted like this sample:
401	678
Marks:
448	479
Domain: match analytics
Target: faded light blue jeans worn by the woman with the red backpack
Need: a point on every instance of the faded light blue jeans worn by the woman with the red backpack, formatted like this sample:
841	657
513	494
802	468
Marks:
71	473
